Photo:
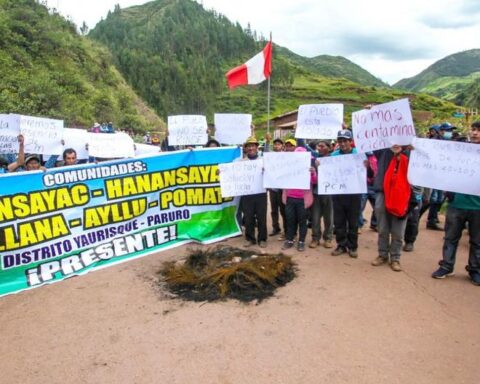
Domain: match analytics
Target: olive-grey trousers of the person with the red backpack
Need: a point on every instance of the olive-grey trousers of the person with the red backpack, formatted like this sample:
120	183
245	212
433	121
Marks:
391	230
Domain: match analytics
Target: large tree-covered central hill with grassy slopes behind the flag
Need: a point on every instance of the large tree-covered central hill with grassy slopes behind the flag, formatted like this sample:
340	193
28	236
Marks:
174	54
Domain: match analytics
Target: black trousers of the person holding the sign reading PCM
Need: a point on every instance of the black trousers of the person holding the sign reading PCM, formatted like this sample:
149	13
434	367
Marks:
346	209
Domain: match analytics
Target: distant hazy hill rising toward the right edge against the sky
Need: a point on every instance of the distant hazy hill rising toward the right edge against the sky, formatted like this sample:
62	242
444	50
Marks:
455	78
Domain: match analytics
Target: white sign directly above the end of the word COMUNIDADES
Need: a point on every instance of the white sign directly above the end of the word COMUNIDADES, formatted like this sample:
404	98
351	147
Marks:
117	145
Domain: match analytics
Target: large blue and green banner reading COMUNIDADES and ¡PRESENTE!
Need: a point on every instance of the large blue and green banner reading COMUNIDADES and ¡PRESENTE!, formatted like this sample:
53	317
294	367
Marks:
71	221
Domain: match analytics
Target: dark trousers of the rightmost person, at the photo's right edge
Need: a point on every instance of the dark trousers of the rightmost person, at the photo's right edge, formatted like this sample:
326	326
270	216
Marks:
454	225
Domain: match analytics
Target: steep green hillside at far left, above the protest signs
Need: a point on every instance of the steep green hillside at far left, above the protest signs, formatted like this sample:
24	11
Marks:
47	69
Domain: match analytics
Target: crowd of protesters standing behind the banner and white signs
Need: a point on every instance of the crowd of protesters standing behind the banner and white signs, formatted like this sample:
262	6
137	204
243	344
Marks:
395	216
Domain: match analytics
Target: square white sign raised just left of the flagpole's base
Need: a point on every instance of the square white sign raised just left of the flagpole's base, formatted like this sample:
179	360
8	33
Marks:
232	128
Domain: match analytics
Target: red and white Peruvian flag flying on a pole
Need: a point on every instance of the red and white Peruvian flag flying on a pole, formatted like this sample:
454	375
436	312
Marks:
254	71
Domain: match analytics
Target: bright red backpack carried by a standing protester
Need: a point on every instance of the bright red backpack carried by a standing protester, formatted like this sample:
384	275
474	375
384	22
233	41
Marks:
396	187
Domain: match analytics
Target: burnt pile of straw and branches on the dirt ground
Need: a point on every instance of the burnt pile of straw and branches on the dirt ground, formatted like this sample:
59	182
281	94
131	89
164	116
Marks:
227	272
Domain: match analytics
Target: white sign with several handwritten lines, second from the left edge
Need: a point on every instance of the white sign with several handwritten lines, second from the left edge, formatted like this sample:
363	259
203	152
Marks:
42	136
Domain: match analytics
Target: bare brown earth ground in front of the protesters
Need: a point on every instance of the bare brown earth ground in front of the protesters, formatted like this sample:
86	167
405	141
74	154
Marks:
340	321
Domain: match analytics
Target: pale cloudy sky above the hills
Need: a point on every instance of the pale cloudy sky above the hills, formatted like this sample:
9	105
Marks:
390	39
